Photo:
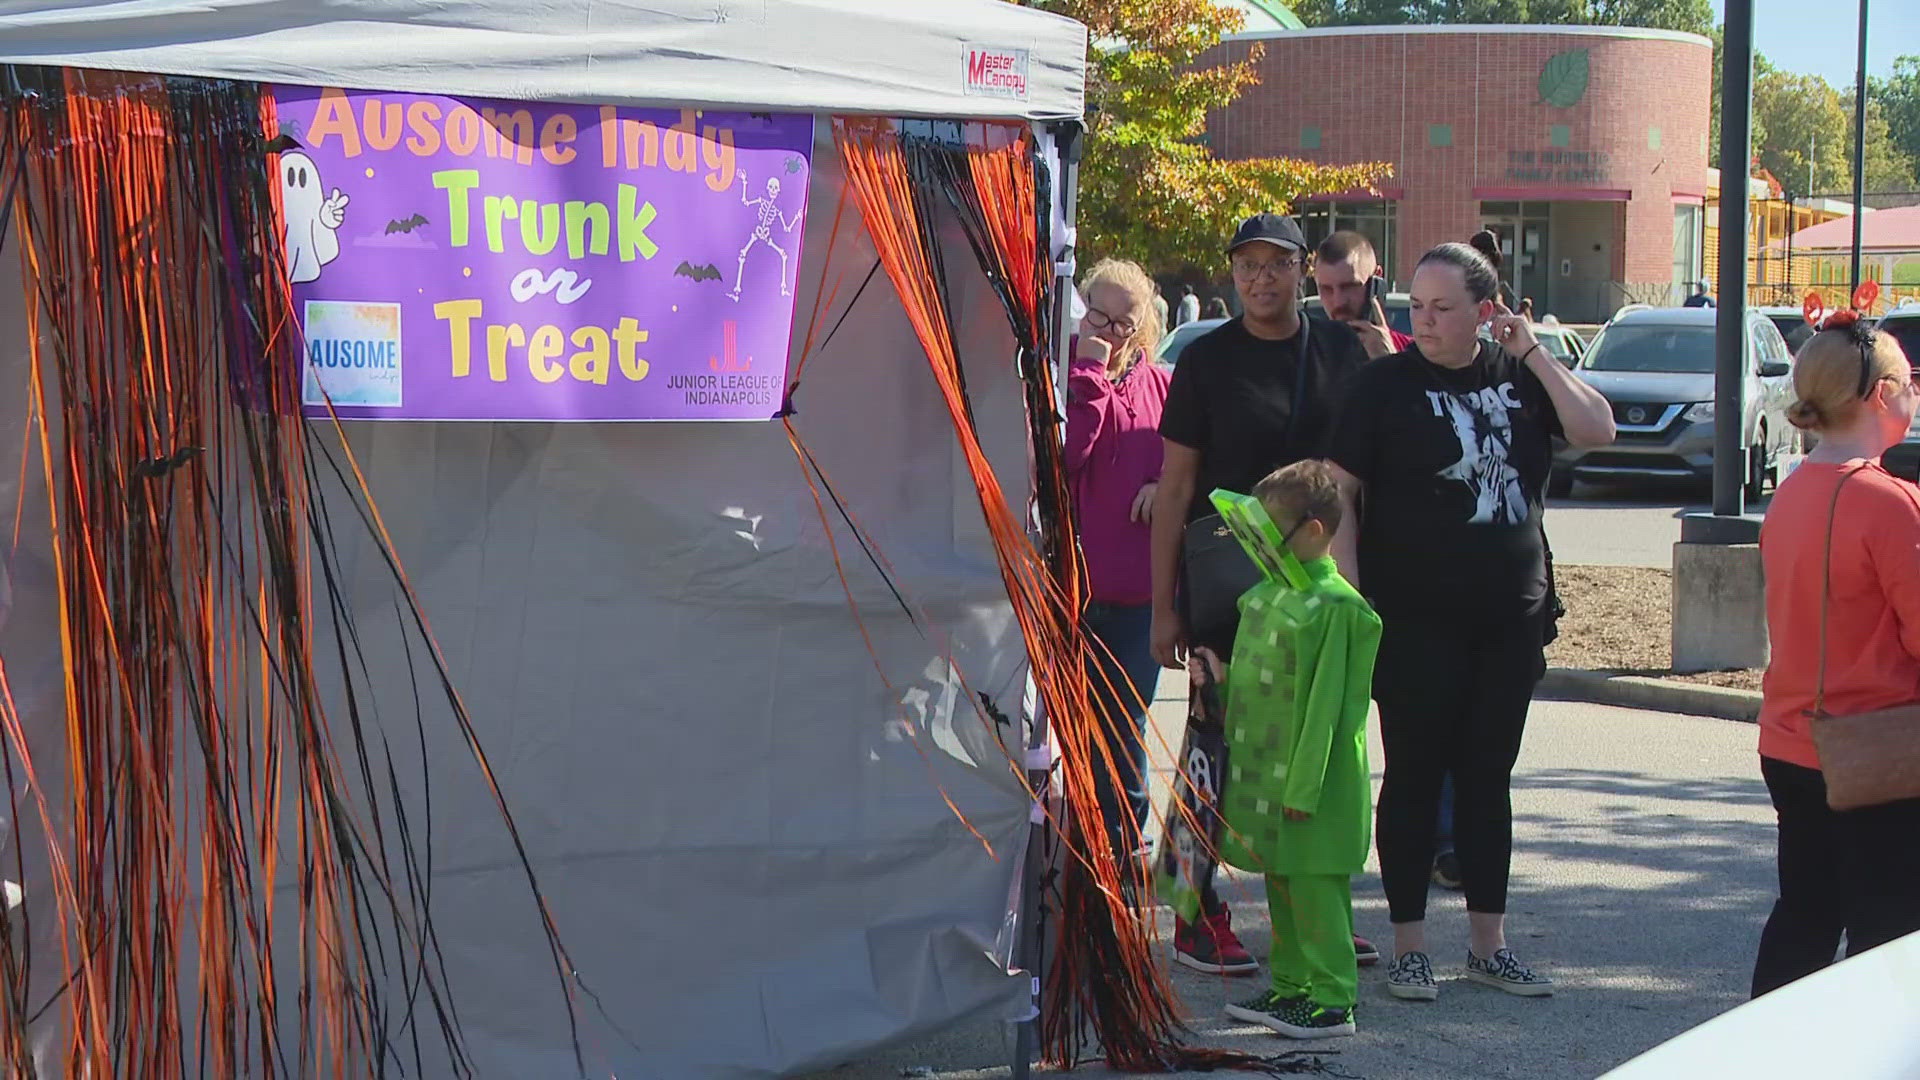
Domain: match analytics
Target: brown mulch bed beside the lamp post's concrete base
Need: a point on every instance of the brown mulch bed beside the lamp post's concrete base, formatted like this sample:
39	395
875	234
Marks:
1620	620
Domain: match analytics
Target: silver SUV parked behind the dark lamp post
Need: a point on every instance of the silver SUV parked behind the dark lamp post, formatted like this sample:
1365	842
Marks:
1656	370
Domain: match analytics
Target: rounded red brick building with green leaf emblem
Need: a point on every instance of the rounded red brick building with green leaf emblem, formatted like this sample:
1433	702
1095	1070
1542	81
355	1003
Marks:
1585	149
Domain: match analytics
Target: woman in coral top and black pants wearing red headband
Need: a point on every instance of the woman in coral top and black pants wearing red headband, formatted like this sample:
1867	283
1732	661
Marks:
1842	873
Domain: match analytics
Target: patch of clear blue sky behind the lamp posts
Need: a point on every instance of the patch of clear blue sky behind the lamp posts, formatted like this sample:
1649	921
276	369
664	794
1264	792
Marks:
1796	37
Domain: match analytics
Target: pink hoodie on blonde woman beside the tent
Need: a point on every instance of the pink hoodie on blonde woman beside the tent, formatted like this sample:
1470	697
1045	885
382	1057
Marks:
1113	451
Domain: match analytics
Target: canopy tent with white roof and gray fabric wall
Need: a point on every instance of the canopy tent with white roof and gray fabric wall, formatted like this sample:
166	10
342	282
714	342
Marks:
736	810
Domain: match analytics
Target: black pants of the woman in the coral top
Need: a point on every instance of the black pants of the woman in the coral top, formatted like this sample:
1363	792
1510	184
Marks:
1854	873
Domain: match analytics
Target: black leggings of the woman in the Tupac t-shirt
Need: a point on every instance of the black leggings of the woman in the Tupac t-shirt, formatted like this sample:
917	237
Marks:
1452	700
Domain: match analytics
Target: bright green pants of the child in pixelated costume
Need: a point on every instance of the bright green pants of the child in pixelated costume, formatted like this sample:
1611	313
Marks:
1314	939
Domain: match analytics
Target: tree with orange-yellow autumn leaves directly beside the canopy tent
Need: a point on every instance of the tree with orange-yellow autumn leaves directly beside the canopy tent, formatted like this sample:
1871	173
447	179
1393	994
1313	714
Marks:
1151	187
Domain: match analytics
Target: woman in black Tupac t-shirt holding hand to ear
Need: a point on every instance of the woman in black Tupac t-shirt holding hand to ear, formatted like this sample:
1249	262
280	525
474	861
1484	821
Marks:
1445	453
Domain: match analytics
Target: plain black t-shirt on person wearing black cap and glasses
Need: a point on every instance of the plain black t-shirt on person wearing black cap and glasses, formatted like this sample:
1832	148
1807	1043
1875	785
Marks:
1234	401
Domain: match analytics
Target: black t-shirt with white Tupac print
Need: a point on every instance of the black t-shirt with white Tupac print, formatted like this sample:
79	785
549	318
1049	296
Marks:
1454	466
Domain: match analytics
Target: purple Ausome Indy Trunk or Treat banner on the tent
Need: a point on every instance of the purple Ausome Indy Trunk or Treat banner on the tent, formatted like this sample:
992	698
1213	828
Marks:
473	260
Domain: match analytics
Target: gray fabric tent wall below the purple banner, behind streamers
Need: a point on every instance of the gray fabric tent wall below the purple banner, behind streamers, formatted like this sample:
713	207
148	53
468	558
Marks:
734	812
